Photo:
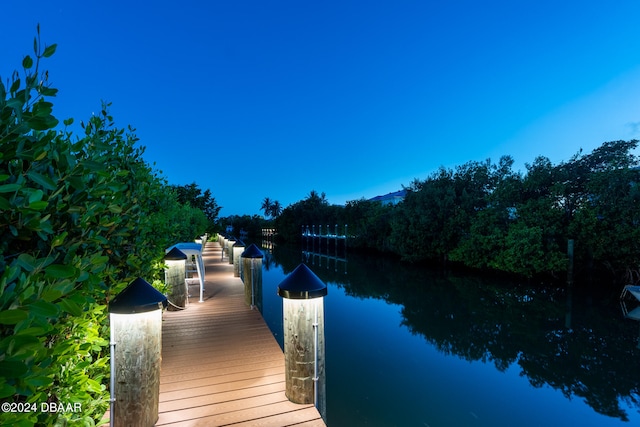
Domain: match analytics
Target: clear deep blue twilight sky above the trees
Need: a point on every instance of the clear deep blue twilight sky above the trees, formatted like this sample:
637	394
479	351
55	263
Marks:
256	99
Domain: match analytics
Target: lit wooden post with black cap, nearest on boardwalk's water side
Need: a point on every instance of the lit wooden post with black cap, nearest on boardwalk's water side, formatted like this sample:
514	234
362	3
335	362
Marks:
303	320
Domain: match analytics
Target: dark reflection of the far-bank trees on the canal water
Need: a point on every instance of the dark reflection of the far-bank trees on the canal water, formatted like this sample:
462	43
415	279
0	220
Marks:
572	342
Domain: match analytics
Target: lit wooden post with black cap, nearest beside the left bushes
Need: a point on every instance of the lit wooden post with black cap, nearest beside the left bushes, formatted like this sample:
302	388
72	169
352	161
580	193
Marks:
135	317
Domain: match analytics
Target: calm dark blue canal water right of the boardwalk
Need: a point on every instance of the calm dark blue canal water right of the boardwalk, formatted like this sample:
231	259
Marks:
413	347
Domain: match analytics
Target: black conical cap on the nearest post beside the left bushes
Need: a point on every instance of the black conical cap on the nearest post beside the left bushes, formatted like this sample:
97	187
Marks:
138	297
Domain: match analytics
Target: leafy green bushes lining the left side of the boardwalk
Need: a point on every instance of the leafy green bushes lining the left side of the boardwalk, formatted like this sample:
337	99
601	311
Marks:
80	217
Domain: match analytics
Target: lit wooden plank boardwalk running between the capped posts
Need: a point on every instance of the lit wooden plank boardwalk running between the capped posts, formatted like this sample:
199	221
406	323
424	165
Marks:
221	364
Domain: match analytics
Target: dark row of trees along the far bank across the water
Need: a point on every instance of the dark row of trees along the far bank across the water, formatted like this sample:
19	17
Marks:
486	216
